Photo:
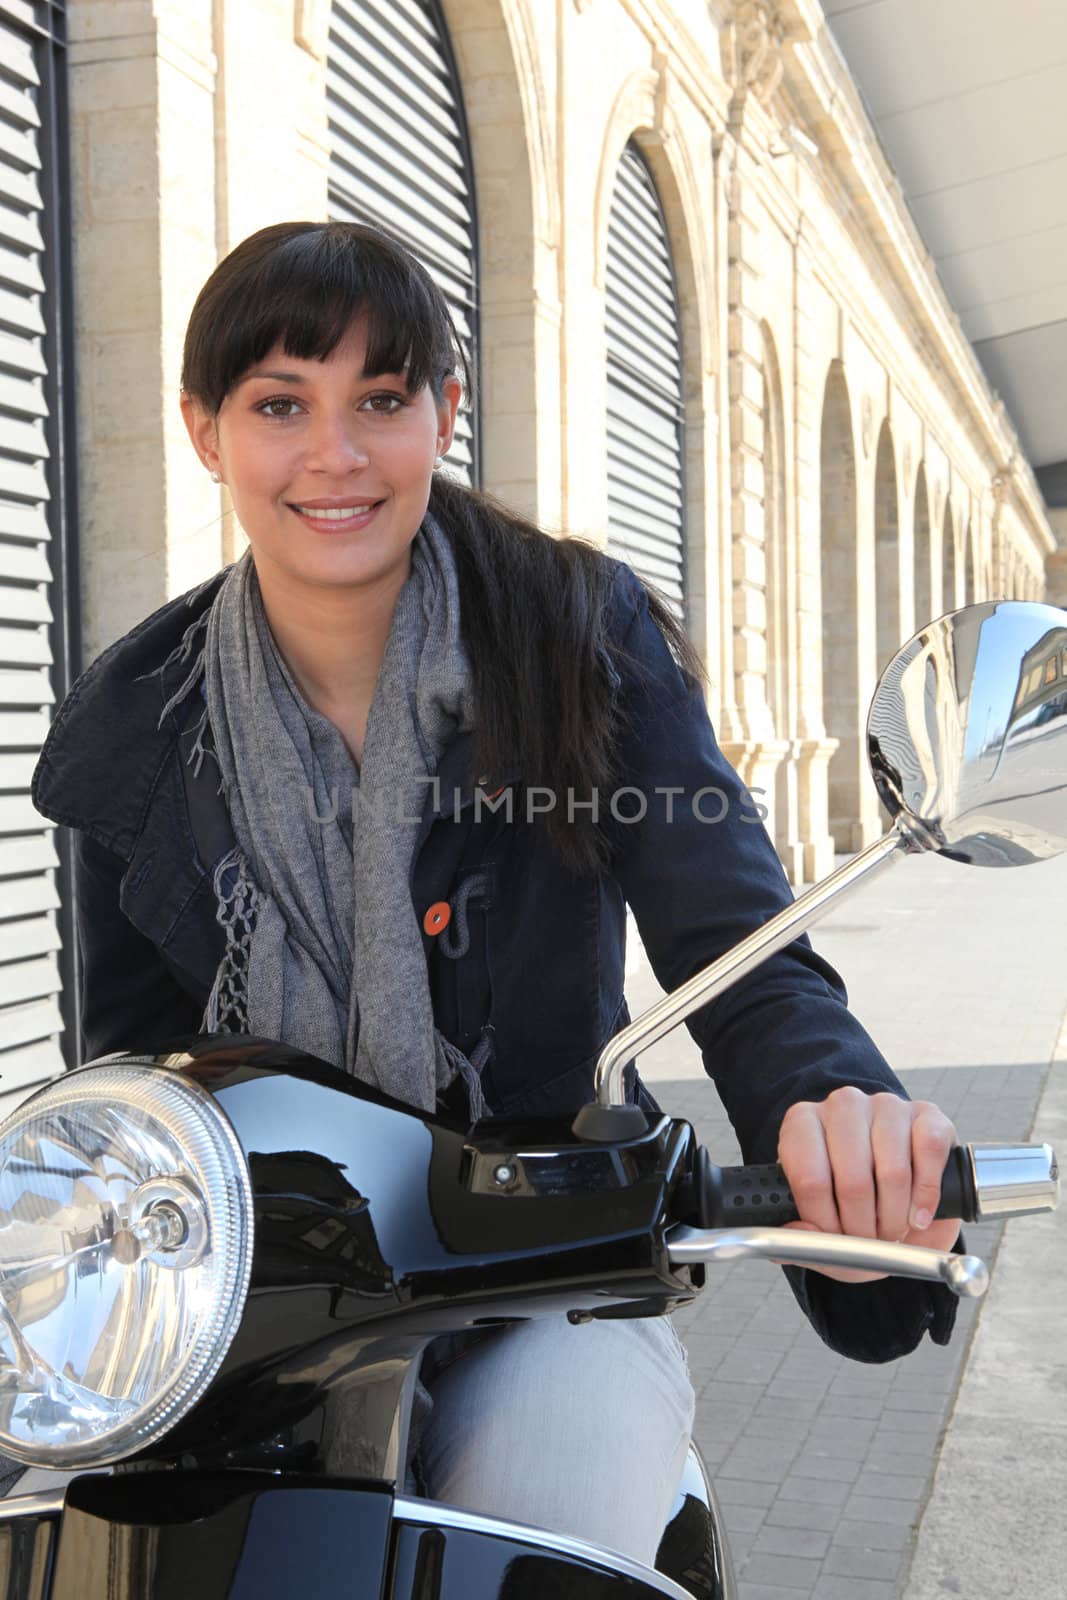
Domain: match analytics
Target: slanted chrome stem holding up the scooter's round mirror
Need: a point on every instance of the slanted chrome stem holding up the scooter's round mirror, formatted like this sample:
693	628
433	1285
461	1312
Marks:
711	983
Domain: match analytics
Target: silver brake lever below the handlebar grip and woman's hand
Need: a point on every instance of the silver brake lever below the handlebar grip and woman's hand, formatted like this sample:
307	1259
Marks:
794	1247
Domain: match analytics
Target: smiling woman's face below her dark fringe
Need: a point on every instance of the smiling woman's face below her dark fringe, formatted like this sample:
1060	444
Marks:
321	433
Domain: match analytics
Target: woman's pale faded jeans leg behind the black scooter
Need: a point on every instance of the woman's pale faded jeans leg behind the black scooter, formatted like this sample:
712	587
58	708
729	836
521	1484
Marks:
578	1430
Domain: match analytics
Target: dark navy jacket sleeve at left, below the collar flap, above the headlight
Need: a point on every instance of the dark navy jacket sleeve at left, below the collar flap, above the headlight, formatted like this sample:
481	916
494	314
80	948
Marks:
130	998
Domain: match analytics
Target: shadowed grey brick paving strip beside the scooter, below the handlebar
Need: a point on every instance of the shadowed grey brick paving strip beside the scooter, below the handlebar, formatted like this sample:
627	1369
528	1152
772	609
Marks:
823	1465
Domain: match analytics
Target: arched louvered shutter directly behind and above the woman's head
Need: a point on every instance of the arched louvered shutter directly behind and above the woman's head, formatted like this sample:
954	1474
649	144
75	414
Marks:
399	156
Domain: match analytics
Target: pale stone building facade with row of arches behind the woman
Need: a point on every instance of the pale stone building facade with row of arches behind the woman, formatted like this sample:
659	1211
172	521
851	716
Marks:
847	471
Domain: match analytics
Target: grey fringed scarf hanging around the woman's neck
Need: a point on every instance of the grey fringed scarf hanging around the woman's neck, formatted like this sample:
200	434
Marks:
324	948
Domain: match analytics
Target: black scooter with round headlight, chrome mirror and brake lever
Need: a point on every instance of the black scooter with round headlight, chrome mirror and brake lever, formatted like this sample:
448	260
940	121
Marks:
220	1266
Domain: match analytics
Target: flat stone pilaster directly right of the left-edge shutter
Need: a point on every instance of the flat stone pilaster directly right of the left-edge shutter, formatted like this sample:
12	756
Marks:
142	166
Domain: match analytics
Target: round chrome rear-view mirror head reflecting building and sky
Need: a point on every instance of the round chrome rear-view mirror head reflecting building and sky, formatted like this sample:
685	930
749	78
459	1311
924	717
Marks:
969	735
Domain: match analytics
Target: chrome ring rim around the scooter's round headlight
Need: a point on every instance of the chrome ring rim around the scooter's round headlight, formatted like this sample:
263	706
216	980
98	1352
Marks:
182	1102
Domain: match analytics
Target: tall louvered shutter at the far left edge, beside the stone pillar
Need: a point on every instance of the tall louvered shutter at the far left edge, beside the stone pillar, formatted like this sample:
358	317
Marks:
30	937
